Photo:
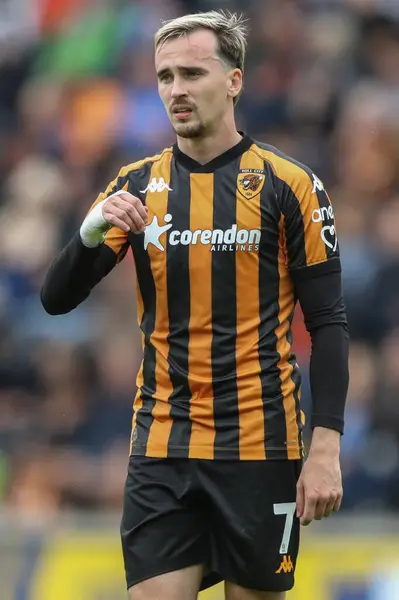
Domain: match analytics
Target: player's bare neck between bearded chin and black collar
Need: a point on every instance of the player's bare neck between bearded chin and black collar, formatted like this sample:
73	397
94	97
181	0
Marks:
205	149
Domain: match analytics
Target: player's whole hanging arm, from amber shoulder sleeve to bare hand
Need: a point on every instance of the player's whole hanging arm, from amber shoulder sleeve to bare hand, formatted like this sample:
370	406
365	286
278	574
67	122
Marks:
313	261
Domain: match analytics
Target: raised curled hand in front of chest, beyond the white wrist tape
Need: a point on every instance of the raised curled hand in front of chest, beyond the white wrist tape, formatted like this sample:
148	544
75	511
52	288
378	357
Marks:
126	211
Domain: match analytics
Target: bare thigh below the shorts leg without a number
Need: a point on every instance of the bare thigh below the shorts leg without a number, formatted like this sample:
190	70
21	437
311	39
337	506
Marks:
183	584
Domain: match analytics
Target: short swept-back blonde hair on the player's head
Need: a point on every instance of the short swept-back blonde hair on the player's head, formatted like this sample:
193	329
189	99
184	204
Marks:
229	28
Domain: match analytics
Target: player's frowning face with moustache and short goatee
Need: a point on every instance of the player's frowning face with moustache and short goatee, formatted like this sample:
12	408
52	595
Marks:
194	83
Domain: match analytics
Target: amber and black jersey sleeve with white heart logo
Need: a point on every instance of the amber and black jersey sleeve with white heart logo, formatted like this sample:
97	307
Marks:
310	233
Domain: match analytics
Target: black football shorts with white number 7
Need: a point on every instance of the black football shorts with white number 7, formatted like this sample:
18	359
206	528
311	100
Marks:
238	518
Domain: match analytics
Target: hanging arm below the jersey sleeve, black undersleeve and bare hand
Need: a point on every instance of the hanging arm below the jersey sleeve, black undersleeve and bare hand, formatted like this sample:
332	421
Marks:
320	485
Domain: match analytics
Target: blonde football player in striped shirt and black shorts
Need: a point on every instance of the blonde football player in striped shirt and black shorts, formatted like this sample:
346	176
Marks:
227	233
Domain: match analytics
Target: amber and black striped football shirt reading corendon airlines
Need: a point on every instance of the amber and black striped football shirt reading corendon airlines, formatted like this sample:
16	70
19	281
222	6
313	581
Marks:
216	269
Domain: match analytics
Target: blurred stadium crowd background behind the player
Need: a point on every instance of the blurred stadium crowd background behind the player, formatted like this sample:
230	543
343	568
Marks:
78	100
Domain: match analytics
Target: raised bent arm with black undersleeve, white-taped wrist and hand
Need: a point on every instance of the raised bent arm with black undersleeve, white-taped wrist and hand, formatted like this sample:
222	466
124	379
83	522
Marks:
95	249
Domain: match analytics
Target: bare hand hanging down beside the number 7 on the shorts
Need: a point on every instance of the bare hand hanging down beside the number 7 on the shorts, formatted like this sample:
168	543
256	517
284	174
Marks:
319	487
